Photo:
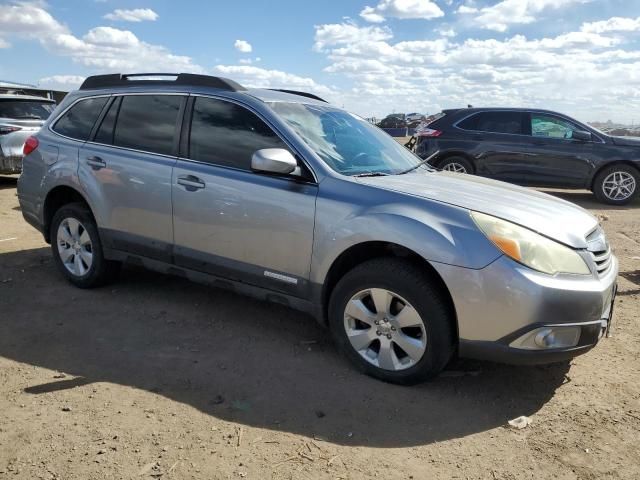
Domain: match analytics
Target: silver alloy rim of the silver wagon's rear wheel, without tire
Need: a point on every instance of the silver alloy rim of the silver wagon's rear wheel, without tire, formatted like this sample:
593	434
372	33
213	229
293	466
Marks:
74	247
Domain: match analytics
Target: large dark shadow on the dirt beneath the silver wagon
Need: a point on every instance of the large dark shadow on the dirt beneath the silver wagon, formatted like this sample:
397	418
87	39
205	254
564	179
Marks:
241	360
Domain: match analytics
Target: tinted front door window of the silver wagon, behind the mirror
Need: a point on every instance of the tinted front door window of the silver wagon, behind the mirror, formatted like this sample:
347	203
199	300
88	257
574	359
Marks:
227	134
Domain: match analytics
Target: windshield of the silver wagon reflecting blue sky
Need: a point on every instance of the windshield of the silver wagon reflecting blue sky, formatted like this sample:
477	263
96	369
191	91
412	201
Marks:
347	143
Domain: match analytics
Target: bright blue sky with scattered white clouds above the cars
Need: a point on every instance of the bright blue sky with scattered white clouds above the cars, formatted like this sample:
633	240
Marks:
581	57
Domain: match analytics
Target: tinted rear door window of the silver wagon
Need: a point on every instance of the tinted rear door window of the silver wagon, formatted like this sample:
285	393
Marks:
147	122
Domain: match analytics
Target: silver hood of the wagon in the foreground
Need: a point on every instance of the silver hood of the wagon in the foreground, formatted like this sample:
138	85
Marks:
554	218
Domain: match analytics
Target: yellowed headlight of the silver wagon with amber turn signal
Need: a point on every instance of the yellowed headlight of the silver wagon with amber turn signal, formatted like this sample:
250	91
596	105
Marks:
529	248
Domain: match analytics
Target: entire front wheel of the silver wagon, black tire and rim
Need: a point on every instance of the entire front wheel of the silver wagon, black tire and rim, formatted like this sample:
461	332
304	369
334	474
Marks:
392	321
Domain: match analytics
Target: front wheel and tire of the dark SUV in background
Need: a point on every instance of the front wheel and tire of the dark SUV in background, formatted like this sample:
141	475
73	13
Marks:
617	184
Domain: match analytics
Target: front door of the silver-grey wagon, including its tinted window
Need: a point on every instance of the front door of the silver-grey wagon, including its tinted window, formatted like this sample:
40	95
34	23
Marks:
230	221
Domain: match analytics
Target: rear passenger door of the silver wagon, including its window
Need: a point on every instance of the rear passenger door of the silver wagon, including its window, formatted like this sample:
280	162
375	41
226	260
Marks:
126	172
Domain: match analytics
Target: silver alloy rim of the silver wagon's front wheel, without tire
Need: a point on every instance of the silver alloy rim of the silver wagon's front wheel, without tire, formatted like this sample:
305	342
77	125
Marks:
385	329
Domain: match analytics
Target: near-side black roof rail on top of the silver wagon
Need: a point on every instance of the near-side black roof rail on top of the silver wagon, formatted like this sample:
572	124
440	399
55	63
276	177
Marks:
186	79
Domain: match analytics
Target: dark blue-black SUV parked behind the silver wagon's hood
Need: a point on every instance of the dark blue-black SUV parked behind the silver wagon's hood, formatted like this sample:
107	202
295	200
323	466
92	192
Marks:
535	148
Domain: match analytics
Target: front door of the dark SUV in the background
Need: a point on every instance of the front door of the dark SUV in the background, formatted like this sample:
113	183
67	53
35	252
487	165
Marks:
558	159
